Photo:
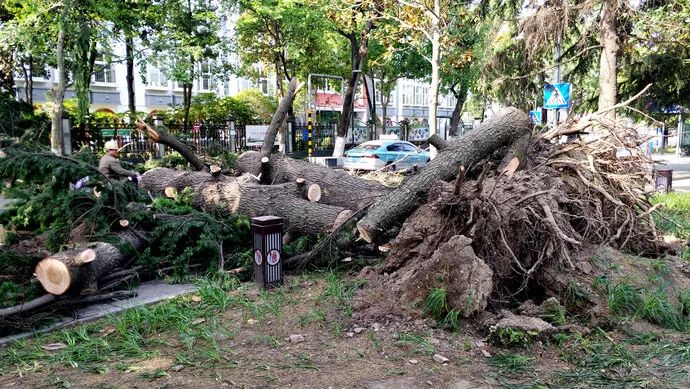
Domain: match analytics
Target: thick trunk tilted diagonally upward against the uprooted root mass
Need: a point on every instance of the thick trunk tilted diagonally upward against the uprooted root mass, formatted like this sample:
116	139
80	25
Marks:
497	131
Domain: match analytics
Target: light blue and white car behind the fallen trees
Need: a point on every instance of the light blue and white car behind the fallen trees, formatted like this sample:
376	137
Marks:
376	154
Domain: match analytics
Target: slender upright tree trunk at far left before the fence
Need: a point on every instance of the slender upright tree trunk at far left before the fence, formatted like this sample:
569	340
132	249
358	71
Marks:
56	119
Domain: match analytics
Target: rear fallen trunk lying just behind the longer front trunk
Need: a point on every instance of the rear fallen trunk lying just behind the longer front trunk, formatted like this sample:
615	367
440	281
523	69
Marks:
337	187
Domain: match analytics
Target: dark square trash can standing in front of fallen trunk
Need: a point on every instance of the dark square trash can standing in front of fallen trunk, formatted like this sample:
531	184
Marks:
268	249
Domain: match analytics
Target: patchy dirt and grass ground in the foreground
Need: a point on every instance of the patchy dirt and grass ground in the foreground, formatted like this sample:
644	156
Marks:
301	336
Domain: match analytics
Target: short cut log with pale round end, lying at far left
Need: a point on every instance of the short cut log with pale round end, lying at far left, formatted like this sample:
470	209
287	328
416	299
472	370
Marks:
79	269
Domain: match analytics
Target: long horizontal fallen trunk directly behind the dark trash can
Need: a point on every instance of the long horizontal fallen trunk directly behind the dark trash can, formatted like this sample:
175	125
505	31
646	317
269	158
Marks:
243	195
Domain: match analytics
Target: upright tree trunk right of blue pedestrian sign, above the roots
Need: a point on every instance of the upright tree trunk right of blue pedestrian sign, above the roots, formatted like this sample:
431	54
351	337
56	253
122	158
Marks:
608	87
